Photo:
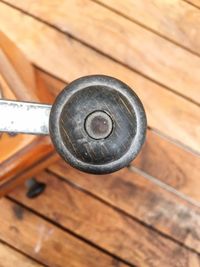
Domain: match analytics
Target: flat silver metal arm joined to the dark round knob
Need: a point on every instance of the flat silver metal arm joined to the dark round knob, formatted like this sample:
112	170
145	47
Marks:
24	117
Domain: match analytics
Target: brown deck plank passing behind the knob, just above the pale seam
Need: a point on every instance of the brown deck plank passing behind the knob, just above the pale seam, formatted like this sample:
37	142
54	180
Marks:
159	157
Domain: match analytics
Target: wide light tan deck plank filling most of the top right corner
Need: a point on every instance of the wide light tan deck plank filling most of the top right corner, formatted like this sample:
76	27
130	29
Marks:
175	20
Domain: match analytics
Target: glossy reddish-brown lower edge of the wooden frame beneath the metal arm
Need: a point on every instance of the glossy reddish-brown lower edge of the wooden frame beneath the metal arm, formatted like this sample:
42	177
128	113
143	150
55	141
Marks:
21	166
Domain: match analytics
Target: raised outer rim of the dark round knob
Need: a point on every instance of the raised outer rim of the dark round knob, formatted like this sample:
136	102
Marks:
118	87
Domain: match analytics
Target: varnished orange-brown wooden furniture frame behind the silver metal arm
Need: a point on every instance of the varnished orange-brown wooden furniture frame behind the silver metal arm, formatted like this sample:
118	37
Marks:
19	81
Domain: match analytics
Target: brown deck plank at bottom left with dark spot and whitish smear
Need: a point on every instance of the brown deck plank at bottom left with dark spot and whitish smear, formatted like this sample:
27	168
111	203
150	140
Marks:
46	242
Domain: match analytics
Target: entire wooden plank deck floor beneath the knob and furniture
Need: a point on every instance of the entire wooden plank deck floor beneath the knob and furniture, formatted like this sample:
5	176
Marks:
149	213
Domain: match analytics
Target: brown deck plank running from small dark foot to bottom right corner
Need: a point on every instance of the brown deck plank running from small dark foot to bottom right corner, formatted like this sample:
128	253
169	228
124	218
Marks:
109	229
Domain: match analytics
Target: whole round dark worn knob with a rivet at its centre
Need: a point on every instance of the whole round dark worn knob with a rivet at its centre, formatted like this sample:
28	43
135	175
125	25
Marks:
98	124
